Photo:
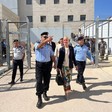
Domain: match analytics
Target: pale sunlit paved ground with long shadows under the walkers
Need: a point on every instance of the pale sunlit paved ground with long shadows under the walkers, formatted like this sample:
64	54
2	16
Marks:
21	96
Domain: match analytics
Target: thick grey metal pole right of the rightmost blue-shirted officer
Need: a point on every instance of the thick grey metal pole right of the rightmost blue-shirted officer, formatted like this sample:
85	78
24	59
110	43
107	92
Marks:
96	44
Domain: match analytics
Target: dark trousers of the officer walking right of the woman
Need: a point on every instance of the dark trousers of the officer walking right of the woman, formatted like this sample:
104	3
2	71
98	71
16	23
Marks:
81	67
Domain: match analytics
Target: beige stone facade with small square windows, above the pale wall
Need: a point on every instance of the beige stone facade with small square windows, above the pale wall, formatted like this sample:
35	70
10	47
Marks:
55	12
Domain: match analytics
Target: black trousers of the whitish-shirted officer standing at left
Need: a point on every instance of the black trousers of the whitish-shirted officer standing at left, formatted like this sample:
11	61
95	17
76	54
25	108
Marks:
17	63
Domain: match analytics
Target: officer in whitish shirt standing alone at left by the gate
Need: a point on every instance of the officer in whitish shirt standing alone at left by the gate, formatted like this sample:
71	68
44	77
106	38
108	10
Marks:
18	57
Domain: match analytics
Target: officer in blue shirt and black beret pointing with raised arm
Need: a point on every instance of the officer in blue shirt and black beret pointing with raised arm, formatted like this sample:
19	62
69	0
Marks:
44	53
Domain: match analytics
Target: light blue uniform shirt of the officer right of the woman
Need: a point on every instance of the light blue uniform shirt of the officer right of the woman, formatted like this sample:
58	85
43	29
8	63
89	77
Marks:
81	52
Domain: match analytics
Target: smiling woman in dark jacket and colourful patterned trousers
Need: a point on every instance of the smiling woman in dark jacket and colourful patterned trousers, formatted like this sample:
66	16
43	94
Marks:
65	64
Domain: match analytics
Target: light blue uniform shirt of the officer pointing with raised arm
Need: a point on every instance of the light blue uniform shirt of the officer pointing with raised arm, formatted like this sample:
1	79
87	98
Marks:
43	54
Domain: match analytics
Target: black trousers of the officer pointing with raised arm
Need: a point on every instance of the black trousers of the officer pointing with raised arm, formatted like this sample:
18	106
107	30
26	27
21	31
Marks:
42	77
